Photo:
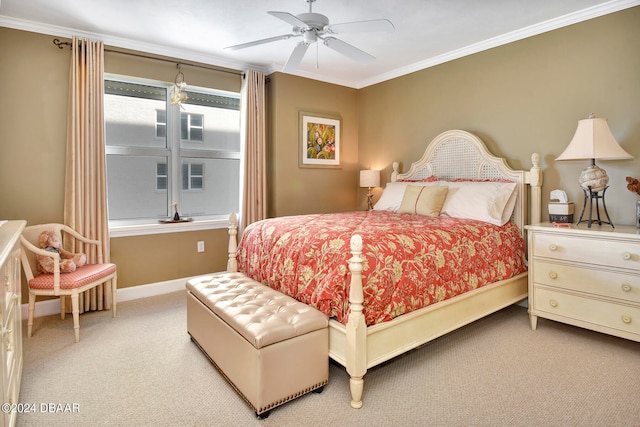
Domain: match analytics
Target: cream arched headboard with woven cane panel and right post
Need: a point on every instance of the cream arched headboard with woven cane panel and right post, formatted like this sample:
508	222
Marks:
457	154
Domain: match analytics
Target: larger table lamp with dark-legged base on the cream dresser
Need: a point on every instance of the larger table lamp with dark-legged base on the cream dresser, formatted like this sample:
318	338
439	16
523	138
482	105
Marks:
593	140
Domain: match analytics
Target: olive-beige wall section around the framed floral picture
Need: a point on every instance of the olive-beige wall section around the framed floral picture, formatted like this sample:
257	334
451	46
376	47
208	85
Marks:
294	190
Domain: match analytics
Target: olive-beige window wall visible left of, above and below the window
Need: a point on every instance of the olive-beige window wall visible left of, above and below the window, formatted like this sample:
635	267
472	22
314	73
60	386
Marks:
34	81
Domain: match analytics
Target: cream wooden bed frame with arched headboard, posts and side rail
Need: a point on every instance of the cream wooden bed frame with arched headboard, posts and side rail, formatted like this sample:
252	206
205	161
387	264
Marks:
452	154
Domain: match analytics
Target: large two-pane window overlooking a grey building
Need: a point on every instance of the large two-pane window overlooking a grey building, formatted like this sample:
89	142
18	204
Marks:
159	154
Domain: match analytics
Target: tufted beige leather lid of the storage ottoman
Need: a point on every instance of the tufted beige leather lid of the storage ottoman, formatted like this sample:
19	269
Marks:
262	315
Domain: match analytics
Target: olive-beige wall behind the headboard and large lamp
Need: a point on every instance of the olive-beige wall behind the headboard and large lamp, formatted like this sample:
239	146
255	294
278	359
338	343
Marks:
521	98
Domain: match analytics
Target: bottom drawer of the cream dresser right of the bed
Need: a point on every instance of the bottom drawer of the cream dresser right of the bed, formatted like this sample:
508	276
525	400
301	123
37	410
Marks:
592	311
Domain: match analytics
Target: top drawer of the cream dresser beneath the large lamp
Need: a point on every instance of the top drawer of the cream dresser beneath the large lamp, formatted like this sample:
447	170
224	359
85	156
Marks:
587	250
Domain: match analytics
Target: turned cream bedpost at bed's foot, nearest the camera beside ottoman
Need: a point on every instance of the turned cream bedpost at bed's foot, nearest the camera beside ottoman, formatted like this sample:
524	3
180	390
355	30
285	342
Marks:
356	326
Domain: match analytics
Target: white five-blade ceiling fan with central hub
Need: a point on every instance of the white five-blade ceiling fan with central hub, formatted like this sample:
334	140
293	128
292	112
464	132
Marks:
313	26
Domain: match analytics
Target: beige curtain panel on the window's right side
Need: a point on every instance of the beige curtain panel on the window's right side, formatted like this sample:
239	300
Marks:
254	185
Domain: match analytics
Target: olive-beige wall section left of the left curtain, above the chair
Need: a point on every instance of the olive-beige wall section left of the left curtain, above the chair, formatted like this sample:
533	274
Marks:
34	78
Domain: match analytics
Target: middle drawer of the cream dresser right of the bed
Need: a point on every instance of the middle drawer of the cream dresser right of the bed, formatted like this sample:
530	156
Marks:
594	281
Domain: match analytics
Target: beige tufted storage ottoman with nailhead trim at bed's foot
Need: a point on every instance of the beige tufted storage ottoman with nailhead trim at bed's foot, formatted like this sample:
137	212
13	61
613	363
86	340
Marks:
270	347
